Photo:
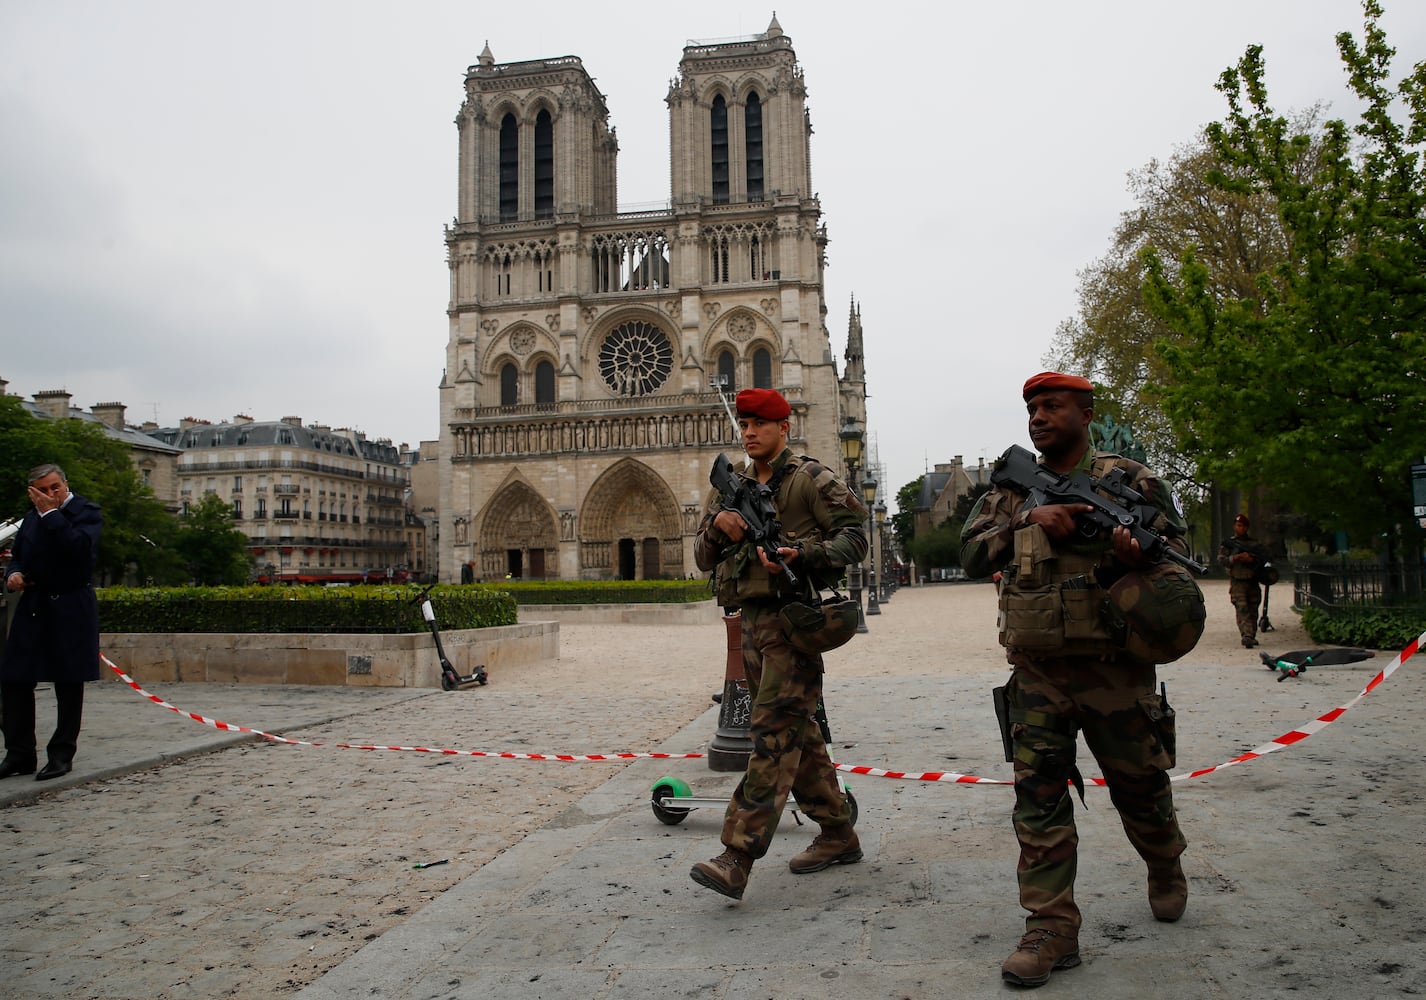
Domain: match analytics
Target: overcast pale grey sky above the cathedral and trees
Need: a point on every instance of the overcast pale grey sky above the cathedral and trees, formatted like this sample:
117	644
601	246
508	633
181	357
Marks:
215	209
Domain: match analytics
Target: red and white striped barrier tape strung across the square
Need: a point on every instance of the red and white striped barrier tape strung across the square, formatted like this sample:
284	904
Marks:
1287	740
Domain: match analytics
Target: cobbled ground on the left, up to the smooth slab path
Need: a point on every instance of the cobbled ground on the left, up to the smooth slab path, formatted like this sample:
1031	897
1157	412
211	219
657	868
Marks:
252	871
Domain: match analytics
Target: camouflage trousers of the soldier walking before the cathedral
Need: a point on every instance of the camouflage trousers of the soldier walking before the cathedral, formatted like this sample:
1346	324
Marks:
789	754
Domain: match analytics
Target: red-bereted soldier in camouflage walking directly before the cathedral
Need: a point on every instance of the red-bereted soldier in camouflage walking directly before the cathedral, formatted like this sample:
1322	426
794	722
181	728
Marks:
822	527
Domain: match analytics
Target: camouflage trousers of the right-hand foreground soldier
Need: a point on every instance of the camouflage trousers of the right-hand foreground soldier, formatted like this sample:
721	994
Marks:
1129	730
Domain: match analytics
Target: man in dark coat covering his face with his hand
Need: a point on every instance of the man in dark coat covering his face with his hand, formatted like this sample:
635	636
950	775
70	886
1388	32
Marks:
55	634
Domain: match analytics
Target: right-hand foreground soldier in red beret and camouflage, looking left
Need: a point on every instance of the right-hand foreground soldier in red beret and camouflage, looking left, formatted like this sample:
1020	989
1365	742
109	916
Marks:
1070	674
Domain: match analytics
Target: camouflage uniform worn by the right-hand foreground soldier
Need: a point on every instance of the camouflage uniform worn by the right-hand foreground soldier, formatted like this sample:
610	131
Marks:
1076	678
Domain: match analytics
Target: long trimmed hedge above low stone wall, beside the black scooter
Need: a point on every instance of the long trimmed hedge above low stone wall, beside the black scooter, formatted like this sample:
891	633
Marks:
384	610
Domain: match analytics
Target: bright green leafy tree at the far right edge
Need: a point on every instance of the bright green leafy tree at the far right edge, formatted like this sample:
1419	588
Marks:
1313	383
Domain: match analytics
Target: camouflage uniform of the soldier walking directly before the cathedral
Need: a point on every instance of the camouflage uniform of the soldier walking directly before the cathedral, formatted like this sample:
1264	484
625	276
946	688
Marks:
825	521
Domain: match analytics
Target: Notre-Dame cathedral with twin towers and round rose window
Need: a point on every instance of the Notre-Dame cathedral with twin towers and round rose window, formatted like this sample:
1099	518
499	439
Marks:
578	424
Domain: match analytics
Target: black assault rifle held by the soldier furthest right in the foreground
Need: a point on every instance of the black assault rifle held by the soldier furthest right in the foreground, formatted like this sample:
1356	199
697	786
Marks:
1129	509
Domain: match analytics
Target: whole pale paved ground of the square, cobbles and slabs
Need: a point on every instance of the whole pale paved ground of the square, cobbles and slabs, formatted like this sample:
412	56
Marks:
266	871
